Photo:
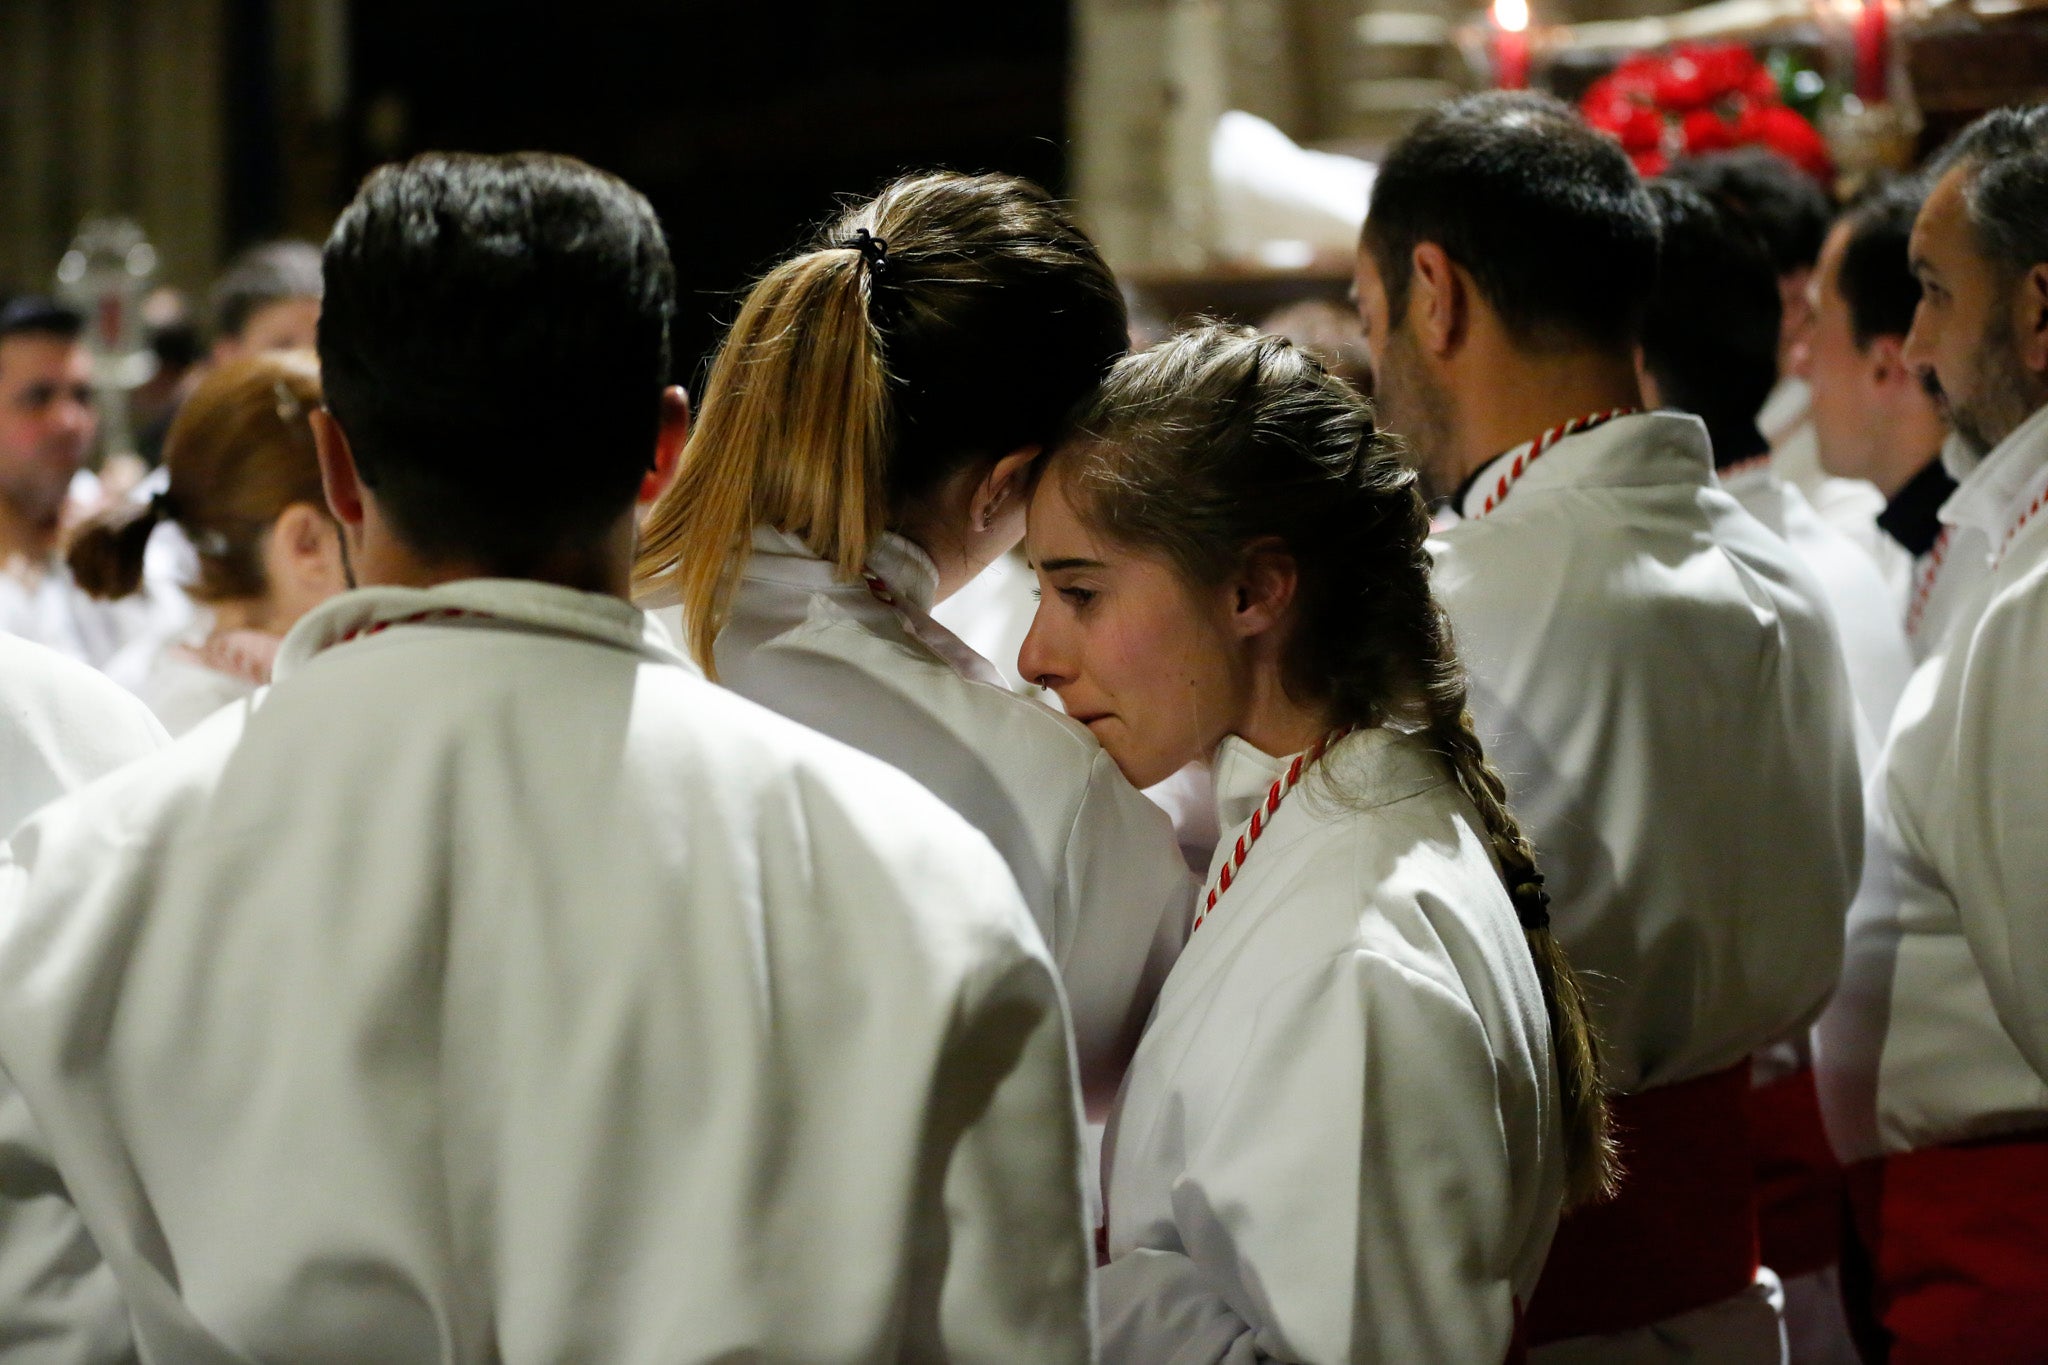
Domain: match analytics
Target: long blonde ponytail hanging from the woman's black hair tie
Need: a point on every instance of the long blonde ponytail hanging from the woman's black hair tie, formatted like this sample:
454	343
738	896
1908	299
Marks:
794	433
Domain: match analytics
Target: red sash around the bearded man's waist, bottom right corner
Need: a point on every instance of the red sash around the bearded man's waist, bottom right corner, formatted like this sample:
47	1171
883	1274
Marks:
1957	1247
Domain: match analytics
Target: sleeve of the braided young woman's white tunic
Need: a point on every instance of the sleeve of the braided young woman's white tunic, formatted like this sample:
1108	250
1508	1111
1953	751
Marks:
1351	1200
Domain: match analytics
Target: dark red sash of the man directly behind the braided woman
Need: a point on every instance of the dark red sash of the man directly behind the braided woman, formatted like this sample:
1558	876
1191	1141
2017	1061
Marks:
1682	1233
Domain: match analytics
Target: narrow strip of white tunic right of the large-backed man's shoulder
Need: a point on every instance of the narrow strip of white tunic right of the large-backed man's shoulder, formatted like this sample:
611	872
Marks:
1863	605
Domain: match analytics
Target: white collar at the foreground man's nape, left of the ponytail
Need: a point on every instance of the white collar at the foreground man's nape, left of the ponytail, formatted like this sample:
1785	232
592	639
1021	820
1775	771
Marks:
495	605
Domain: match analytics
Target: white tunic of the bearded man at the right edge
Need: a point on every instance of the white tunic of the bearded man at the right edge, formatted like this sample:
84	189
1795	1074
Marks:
1940	1028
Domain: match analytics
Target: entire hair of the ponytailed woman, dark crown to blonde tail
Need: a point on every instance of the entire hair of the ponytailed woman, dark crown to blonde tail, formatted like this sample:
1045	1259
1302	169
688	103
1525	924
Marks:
947	322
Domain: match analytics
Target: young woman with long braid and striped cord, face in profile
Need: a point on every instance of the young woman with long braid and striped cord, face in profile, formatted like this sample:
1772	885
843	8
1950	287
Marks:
1369	1088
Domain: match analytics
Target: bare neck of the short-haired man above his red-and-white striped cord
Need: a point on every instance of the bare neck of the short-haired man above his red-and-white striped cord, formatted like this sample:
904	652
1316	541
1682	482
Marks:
1519	396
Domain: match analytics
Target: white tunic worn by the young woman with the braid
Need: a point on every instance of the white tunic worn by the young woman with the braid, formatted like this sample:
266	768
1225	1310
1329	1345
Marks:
1340	1139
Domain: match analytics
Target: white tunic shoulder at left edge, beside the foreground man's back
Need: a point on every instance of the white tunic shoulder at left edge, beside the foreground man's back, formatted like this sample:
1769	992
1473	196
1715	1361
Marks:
62	725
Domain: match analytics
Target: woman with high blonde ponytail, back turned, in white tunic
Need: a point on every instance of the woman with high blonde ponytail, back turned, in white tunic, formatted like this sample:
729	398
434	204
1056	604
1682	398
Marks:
863	451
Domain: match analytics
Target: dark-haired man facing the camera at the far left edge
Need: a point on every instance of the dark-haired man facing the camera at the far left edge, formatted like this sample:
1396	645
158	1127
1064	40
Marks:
46	431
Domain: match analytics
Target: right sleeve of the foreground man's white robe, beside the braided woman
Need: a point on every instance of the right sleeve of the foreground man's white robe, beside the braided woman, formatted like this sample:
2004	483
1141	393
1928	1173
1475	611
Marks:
1015	1241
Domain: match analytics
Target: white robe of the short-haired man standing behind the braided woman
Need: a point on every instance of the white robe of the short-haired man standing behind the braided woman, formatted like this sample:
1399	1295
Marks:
1660	682
